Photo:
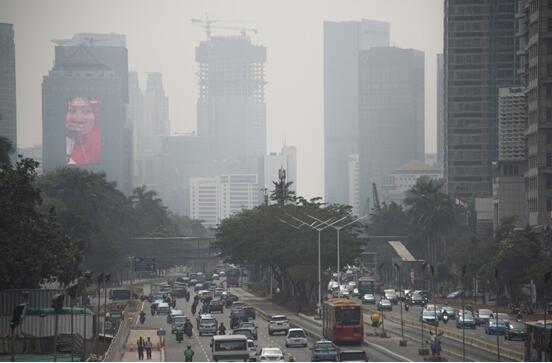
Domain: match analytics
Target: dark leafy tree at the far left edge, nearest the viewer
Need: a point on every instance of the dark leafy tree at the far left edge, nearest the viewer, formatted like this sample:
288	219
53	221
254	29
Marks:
35	247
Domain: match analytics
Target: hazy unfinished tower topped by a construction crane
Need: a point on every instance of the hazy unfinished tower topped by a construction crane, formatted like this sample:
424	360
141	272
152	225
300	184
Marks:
231	108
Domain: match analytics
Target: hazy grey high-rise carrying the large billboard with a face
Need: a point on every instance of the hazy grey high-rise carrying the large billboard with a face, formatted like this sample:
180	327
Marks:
84	99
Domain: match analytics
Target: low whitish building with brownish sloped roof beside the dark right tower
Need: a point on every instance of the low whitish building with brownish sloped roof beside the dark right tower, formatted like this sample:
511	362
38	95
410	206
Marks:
404	178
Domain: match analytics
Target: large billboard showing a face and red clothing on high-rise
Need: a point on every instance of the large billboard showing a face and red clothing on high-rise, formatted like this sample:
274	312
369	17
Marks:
82	125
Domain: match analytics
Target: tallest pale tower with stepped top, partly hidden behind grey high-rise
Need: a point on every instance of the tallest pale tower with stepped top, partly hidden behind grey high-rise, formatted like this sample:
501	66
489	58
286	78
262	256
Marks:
342	43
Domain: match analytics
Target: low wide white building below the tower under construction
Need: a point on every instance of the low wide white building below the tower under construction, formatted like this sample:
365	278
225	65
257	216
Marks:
214	199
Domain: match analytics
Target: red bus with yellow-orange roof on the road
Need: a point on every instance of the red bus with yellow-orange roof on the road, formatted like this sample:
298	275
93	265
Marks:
343	321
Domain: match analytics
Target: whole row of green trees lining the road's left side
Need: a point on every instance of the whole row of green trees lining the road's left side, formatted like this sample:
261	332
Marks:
55	225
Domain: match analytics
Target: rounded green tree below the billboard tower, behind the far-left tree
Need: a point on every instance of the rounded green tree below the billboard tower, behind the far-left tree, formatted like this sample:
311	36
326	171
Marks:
92	210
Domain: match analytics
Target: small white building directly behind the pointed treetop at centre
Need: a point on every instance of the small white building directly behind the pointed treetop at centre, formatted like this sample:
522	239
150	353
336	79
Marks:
269	166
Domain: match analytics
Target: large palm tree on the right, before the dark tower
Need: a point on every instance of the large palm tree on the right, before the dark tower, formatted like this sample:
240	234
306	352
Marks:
432	211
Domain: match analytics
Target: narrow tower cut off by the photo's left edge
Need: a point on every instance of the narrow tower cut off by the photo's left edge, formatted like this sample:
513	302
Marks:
8	119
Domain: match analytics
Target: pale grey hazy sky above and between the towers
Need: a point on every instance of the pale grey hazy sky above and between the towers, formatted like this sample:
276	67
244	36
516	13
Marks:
160	37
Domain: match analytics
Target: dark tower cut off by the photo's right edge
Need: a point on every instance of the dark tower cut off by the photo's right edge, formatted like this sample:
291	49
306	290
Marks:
539	112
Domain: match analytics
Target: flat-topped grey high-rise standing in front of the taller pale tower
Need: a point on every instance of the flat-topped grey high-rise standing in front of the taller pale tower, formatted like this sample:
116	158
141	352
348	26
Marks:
391	107
